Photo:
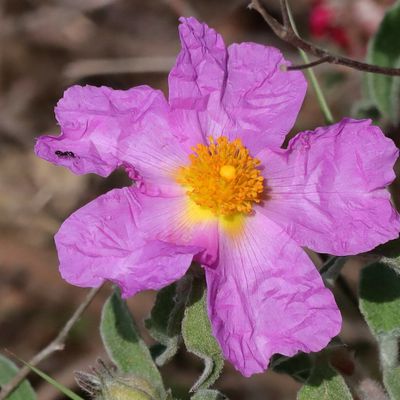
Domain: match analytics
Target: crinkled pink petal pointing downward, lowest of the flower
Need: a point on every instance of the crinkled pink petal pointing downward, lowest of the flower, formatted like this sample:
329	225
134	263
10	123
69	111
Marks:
267	297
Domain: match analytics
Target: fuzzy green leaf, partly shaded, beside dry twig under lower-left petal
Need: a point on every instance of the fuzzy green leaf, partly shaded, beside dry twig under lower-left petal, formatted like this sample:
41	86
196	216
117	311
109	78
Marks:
124	344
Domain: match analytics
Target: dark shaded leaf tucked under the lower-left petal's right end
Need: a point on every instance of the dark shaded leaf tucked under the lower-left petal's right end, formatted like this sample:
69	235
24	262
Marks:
164	323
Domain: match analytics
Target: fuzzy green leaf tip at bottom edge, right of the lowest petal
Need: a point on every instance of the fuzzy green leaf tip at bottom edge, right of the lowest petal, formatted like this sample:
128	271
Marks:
324	384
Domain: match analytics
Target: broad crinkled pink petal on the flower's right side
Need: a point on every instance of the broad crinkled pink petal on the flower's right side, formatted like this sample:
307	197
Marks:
328	189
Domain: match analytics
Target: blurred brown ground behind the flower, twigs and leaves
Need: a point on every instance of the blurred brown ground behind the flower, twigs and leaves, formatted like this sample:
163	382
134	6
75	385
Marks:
48	45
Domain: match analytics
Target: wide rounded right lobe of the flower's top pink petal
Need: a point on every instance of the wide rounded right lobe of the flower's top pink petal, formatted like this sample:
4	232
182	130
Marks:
261	100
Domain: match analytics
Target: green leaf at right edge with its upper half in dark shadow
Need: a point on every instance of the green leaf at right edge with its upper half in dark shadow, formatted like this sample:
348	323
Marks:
380	299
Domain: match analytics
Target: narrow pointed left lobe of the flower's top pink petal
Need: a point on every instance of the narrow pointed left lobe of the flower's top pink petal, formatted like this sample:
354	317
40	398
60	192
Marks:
196	81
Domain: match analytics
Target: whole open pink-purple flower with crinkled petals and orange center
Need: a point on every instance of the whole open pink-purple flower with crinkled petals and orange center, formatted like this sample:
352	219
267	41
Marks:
214	186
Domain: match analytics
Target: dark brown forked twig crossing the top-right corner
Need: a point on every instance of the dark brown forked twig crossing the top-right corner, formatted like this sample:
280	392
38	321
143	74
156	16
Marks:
285	32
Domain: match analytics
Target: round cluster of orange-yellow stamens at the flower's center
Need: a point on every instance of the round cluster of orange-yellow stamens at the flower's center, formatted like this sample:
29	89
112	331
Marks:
223	177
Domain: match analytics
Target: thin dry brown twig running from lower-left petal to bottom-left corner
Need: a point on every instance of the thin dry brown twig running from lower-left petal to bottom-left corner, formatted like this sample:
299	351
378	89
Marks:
56	345
